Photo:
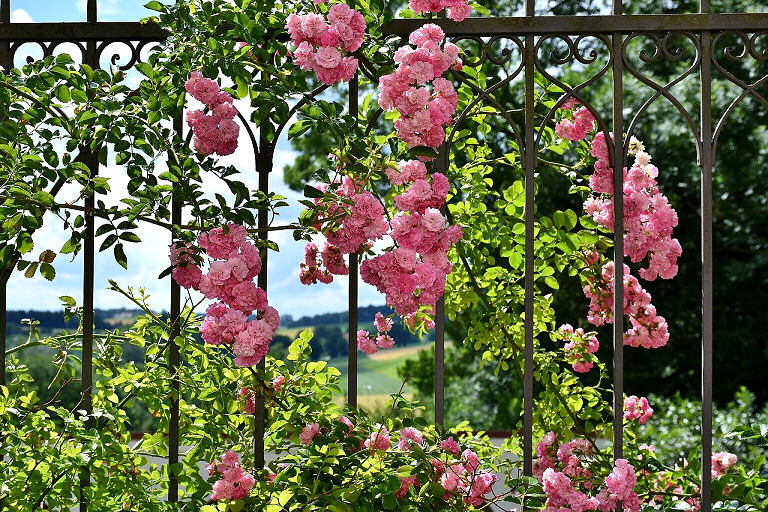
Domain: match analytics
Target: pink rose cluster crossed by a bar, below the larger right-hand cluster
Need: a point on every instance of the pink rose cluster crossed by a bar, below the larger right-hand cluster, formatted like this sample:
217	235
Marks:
647	330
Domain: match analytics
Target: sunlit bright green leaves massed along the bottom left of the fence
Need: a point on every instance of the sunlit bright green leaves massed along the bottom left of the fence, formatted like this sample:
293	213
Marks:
45	445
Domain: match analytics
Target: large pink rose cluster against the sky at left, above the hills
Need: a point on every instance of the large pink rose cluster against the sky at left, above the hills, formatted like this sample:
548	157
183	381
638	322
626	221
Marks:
235	263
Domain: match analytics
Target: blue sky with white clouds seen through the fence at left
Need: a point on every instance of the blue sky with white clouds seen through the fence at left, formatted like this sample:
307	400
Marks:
149	258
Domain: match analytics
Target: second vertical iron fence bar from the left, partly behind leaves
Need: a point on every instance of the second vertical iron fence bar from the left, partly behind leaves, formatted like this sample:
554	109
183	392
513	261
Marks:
89	246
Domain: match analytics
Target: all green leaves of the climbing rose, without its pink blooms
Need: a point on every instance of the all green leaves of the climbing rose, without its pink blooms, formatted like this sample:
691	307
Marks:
53	104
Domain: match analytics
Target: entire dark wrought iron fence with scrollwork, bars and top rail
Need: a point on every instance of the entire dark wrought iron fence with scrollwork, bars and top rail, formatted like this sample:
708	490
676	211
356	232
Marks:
527	34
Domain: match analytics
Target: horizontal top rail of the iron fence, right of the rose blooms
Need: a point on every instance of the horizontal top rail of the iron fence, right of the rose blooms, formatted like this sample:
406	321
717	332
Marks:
608	24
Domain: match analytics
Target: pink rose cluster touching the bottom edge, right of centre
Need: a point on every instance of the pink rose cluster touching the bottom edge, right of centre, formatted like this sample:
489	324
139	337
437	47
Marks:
562	469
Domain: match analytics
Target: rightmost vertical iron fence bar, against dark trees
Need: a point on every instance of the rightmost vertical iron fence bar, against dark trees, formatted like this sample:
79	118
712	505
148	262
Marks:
705	164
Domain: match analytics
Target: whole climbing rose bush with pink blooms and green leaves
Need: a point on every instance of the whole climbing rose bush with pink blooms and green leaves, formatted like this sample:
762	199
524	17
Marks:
422	217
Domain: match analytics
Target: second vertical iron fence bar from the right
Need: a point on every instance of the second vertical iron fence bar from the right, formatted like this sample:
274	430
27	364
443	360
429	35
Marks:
618	241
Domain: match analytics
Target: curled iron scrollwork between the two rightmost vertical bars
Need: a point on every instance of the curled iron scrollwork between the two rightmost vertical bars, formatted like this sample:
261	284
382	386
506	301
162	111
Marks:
665	46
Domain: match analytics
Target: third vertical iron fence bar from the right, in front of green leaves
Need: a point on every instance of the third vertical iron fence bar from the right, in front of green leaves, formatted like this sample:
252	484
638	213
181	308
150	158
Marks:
530	173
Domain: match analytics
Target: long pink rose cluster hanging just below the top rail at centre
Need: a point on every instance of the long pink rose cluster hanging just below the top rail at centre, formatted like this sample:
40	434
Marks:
424	111
